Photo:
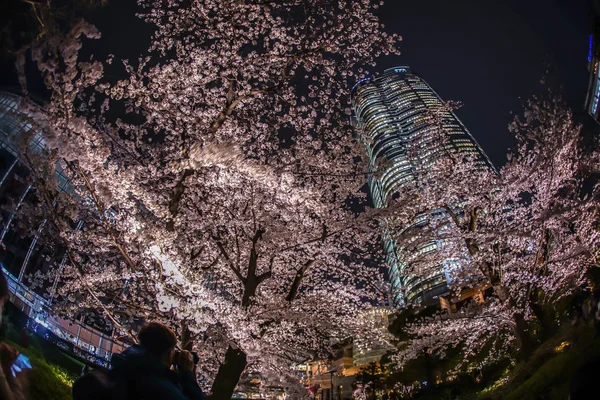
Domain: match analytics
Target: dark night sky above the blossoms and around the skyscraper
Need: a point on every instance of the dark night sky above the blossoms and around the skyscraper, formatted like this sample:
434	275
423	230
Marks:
490	55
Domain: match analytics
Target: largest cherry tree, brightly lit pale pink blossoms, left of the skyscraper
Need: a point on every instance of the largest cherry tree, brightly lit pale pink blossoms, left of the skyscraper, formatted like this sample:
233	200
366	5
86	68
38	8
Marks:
220	201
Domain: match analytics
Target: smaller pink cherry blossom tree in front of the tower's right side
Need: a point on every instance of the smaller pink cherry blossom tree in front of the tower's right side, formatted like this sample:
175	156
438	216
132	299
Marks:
528	232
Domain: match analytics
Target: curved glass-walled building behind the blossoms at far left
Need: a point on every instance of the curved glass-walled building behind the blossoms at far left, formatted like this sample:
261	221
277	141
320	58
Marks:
24	255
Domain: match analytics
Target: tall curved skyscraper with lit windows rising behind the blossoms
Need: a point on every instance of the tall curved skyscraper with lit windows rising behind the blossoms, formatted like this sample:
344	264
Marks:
393	114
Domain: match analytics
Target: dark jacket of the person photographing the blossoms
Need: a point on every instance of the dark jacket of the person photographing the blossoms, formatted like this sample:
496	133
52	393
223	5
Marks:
148	379
